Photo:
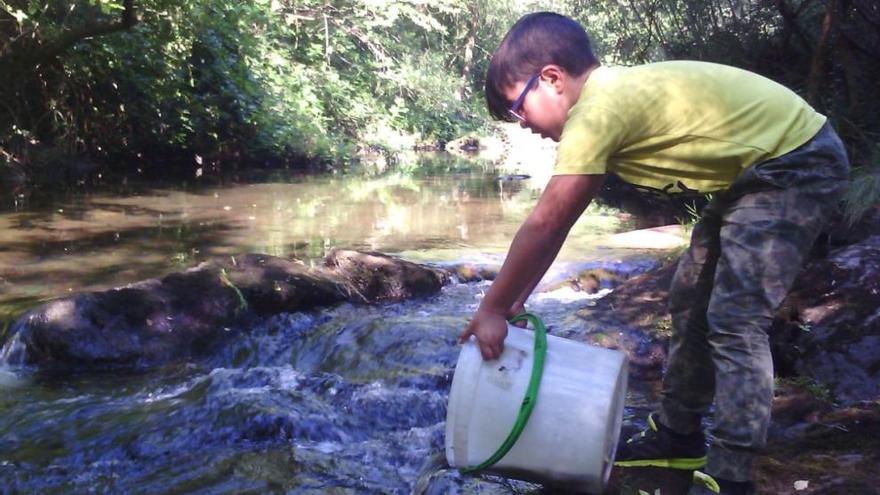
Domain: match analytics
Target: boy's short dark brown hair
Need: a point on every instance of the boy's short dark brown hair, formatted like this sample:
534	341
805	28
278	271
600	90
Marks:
534	41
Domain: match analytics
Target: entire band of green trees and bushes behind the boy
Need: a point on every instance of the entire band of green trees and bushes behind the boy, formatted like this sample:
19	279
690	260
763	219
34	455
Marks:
201	85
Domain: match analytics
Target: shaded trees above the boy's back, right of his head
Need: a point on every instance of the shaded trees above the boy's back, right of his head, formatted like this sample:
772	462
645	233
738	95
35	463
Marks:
826	50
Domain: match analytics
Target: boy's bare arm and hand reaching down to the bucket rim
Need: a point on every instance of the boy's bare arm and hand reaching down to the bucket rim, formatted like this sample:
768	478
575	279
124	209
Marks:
531	253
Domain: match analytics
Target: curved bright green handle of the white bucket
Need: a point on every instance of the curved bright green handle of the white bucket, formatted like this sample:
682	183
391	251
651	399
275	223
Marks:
531	397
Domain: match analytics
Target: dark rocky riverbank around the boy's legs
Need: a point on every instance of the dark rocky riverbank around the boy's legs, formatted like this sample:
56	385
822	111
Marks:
826	410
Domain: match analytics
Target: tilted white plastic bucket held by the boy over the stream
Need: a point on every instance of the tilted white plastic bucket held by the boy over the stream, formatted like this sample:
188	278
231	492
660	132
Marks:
571	436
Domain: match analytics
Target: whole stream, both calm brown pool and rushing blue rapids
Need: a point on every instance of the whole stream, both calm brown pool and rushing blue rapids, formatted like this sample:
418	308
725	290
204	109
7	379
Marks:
349	399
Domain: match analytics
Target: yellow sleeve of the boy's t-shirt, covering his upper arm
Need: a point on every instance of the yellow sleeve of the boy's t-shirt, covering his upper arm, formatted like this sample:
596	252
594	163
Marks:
589	137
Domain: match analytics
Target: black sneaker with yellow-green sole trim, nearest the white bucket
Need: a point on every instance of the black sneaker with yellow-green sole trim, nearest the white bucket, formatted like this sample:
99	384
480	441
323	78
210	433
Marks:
661	447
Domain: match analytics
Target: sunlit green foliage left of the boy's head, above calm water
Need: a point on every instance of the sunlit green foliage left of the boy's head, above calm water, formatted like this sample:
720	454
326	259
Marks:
227	80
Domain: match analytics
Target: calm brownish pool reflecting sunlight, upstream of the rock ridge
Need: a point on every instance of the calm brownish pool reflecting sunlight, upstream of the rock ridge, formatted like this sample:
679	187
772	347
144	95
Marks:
96	241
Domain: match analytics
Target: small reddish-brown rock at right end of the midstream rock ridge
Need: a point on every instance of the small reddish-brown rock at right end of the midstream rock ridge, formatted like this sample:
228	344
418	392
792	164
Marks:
376	277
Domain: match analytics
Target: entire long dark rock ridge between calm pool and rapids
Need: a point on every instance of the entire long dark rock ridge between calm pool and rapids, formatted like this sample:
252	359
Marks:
159	321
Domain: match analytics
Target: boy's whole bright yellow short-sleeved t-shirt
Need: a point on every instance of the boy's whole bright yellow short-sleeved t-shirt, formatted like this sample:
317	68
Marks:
672	124
